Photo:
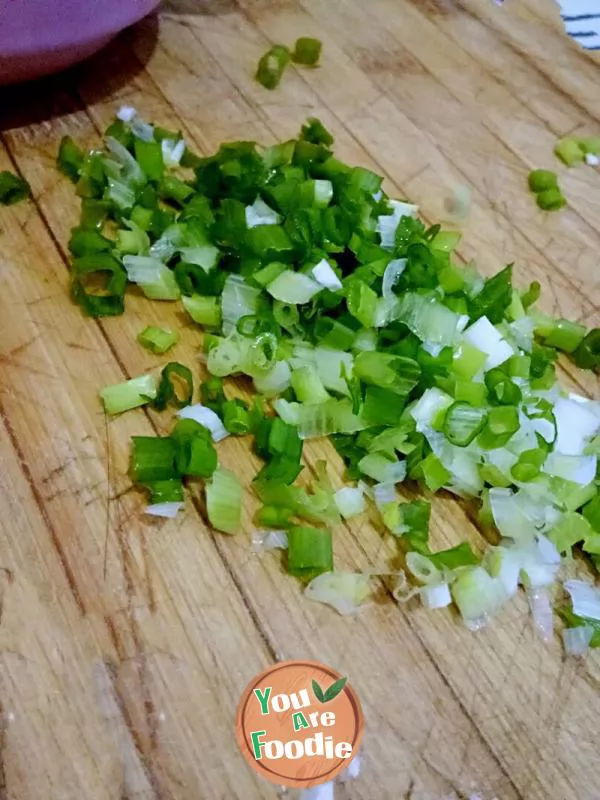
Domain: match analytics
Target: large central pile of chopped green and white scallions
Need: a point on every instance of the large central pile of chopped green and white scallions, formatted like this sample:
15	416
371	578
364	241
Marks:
354	321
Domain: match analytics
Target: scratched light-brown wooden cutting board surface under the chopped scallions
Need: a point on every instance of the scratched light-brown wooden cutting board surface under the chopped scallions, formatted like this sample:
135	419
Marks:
126	643
